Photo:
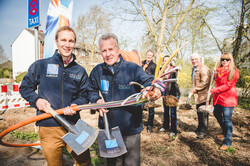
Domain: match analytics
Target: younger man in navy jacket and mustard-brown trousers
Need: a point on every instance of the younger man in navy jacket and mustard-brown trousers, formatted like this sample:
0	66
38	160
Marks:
61	82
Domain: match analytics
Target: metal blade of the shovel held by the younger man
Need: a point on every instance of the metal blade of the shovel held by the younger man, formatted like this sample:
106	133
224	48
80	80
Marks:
81	141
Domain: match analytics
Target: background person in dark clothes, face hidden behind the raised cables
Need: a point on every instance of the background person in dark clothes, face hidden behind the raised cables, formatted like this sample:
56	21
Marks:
170	100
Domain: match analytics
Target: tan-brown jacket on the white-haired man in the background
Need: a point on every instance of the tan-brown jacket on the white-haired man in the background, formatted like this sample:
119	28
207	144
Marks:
201	81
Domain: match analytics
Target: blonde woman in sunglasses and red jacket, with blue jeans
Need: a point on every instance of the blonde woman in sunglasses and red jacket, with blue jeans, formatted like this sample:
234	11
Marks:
225	97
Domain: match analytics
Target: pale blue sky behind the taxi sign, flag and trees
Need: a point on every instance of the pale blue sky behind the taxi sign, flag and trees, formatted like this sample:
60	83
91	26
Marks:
13	19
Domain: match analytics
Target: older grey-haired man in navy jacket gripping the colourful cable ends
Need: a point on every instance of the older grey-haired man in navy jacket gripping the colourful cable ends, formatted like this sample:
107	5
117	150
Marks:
112	79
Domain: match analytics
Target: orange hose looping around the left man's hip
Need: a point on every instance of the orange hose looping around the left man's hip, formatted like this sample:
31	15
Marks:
25	122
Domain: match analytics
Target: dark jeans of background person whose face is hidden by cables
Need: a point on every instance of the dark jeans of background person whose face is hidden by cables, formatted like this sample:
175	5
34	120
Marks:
173	118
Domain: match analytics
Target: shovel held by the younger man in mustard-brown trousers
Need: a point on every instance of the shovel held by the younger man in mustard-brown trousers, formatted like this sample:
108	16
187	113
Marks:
79	137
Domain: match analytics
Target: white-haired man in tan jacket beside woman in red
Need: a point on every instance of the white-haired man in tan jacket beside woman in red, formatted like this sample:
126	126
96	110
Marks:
200	80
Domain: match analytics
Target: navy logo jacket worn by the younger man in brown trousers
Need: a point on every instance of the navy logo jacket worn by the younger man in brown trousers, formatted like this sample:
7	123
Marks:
60	86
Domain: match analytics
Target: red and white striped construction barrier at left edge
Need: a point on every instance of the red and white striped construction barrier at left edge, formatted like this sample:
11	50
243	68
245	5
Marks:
10	97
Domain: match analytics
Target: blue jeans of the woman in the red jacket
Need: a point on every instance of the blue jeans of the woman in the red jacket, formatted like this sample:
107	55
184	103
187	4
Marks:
224	118
